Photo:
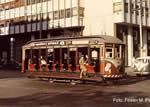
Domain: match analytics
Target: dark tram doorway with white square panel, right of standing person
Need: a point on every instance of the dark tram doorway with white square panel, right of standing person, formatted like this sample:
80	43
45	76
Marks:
95	55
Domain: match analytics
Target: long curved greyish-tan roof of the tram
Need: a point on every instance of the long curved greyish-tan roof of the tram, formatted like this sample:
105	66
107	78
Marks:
101	38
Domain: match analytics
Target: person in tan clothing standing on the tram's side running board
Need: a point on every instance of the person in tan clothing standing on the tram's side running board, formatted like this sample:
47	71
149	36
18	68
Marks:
82	67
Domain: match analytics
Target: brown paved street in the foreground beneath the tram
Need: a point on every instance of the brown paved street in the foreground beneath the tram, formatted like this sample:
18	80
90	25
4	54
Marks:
19	91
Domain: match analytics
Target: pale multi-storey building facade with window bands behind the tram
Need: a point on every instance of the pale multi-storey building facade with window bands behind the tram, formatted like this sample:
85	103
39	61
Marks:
24	20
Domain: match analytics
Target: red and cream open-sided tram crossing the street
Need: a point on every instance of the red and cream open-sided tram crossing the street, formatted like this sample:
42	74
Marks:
58	58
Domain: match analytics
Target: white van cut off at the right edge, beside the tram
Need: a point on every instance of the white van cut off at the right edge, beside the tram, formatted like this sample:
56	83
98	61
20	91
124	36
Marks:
142	65
